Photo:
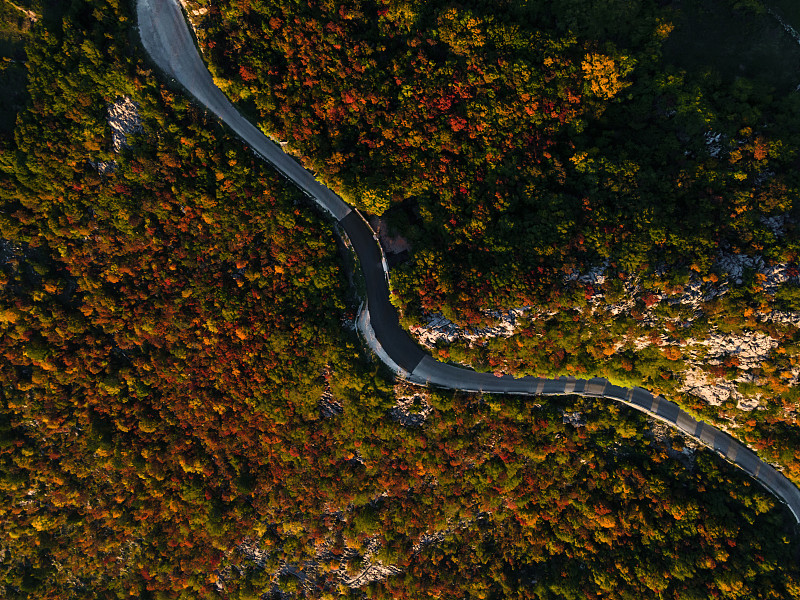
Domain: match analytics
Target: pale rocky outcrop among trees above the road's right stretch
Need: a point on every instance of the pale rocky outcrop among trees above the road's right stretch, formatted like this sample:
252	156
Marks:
746	351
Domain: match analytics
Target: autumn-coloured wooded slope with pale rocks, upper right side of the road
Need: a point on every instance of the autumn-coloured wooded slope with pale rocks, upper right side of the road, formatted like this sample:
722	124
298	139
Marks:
514	147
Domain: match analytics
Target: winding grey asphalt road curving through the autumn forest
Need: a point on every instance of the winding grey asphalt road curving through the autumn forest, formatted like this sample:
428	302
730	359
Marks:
166	38
